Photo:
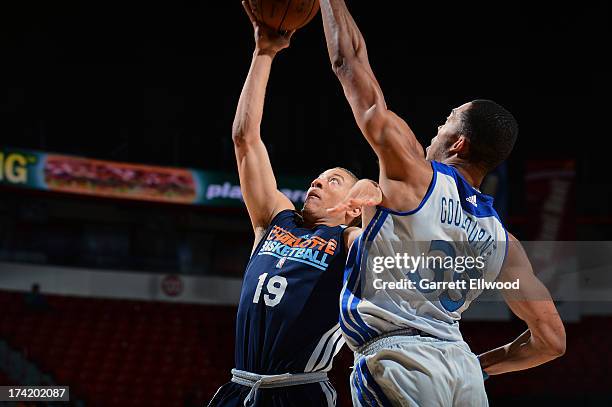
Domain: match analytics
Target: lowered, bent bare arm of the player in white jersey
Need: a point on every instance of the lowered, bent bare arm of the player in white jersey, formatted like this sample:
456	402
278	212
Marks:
545	339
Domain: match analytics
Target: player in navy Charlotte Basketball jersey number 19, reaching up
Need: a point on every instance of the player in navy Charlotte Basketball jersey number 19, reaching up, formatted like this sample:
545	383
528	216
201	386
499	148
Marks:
287	330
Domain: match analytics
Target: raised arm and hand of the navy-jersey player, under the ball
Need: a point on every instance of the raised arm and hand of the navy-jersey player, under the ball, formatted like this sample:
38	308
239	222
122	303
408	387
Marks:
261	195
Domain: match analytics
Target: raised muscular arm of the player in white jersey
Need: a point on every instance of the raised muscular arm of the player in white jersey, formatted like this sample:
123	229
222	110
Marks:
400	154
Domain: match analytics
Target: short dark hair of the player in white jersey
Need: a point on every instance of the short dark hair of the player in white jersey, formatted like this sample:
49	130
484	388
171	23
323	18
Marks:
492	131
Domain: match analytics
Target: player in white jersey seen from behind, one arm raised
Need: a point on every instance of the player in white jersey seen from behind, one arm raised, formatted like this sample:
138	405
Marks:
400	309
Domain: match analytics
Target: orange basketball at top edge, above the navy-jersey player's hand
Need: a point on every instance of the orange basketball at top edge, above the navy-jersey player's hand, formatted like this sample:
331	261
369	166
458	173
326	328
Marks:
284	15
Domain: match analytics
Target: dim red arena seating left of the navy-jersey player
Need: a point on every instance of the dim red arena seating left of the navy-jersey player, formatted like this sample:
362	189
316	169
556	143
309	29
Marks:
118	352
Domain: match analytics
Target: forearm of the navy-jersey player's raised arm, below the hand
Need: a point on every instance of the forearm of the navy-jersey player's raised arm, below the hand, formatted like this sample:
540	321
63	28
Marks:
250	107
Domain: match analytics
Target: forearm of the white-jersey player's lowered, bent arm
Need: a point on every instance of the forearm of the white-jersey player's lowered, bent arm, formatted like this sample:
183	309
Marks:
523	353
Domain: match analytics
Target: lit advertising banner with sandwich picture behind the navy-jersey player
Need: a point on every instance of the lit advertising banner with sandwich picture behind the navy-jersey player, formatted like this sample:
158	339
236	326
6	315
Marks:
85	176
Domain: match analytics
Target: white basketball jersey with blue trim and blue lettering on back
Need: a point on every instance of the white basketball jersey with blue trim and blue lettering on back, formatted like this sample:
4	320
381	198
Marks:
406	269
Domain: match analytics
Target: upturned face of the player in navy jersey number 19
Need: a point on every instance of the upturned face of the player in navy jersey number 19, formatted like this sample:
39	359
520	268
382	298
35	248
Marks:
327	191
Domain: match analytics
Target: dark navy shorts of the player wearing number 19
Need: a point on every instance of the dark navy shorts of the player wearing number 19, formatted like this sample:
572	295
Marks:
305	395
